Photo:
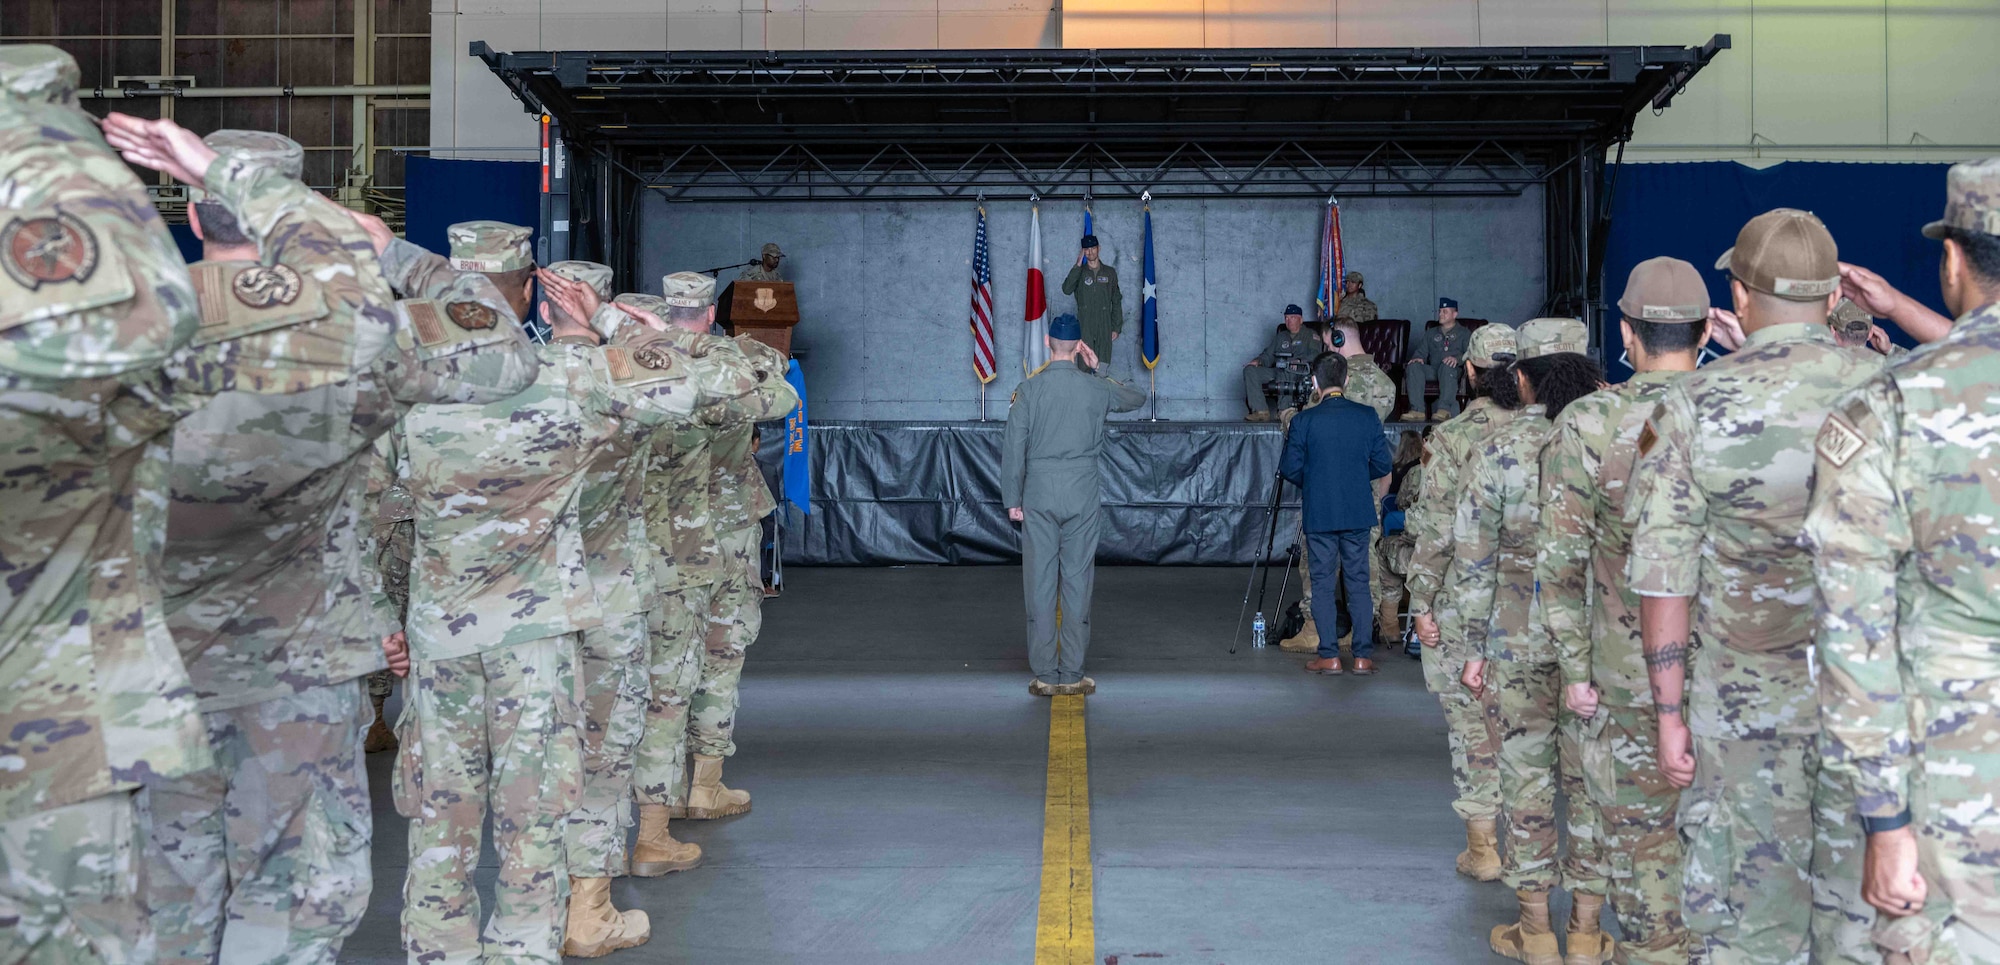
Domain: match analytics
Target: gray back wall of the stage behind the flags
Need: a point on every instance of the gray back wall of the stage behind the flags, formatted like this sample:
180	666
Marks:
885	285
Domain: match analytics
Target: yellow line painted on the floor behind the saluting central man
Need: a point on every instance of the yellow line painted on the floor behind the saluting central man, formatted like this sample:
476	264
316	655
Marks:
1067	930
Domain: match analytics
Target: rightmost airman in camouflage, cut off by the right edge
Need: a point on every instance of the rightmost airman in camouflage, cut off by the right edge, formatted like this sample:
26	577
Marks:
1903	546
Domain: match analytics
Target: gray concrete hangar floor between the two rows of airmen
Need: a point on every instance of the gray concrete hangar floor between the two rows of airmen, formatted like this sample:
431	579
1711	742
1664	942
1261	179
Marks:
1243	812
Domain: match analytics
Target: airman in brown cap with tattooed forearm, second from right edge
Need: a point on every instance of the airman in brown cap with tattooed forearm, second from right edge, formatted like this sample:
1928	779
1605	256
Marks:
1719	498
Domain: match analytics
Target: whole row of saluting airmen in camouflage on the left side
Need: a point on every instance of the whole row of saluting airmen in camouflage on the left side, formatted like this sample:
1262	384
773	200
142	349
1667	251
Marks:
235	490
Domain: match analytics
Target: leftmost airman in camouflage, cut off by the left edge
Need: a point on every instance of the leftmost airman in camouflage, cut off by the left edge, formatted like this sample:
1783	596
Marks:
95	311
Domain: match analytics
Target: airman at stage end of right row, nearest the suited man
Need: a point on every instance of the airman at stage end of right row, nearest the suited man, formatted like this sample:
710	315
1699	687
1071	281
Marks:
1437	614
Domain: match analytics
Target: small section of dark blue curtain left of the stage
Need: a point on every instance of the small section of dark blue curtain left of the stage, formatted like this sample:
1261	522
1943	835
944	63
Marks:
441	193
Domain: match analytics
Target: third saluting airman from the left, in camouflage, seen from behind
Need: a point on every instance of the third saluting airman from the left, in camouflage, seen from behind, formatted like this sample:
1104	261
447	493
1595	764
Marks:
497	606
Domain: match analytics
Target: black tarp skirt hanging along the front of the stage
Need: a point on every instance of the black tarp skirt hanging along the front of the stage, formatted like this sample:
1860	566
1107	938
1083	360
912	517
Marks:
1175	494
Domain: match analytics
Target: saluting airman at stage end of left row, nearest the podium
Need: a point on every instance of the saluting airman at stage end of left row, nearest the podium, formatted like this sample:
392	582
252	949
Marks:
705	498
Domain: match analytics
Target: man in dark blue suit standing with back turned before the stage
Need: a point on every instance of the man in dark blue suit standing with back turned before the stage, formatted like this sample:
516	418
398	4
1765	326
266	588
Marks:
1339	459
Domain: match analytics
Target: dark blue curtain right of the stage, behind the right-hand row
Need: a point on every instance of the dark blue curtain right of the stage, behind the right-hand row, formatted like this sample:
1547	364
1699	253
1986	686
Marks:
1693	211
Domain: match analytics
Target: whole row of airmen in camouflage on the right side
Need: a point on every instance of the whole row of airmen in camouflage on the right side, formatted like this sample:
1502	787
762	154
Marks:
1745	618
